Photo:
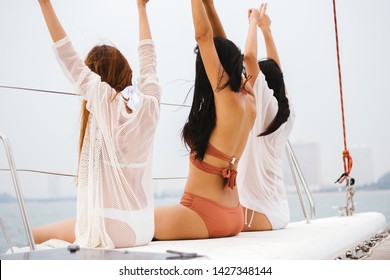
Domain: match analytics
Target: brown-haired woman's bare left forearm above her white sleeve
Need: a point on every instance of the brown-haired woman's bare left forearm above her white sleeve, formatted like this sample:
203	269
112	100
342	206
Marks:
53	24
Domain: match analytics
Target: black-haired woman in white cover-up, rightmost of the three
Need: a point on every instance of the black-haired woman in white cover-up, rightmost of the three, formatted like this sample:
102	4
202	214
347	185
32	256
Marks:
260	180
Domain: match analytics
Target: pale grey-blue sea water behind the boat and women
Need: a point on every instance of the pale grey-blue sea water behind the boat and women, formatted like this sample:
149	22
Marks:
40	213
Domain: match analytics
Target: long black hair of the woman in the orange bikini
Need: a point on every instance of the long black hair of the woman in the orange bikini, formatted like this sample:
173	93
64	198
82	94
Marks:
202	118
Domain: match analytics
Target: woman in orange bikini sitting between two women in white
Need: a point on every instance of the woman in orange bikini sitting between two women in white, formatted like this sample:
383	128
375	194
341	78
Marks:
222	115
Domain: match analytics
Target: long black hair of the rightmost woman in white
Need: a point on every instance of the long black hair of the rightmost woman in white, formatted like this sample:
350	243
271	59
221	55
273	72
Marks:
274	77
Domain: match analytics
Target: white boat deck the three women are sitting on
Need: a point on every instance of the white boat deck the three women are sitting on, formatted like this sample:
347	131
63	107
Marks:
320	239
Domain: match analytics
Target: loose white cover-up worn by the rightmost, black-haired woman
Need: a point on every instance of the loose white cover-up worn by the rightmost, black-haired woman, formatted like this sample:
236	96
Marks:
260	174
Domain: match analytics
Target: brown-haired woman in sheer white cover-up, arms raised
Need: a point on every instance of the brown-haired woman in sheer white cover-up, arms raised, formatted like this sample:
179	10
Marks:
114	183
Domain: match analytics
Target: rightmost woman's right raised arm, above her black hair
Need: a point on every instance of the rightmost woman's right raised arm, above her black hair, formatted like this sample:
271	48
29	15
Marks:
264	22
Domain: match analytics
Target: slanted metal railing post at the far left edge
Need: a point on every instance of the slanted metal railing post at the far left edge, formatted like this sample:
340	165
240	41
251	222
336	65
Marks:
18	191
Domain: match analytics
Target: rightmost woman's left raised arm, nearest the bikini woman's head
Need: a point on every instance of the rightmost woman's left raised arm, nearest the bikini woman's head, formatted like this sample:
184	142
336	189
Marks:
250	54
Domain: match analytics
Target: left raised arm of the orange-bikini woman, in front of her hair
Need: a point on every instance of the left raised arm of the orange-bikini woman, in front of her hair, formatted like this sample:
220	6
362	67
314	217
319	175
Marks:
204	38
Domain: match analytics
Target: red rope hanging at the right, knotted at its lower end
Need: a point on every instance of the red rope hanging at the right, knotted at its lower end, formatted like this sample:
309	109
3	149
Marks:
347	159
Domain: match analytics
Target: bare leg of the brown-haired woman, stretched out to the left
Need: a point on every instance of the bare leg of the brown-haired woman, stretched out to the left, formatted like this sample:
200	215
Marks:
63	230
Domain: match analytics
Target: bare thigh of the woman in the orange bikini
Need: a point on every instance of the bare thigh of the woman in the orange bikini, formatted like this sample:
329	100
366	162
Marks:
178	222
